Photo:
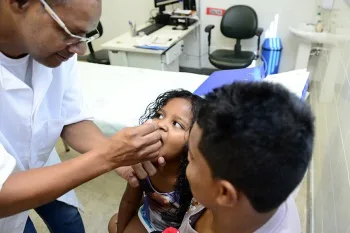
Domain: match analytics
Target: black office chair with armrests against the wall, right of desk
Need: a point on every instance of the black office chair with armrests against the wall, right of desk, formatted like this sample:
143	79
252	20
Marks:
239	22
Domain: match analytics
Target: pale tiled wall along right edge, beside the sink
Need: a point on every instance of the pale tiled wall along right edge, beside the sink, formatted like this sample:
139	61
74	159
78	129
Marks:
331	163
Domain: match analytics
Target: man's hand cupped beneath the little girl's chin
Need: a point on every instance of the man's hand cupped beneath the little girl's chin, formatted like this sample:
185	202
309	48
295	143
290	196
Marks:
141	171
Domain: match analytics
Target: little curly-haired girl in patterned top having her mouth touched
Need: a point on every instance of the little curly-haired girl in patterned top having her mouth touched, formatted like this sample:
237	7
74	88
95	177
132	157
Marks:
167	194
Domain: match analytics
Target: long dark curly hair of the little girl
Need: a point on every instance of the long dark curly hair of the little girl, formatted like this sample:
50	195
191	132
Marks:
182	187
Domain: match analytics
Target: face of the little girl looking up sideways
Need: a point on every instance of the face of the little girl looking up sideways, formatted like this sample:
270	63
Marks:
174	120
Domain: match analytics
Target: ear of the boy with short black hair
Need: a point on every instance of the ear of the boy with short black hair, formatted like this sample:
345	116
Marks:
227	195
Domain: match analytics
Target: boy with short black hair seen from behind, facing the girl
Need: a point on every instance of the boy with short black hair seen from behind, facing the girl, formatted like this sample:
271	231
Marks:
248	150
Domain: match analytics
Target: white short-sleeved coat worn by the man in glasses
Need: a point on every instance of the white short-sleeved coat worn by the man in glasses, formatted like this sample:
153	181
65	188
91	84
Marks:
31	121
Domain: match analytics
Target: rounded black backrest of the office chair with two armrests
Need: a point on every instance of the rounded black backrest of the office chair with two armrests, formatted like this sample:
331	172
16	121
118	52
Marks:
239	22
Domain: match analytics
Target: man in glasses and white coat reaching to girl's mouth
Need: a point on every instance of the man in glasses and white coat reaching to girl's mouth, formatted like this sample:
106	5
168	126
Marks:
40	100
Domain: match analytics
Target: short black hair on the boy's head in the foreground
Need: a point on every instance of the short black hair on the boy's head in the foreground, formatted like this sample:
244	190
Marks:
259	137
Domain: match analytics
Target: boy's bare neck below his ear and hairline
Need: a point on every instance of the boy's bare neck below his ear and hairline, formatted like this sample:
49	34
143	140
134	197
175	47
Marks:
242	221
